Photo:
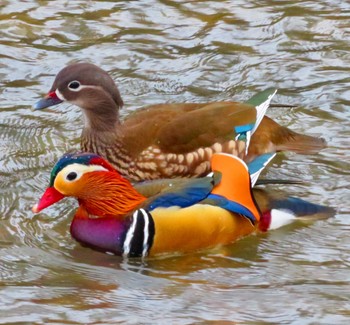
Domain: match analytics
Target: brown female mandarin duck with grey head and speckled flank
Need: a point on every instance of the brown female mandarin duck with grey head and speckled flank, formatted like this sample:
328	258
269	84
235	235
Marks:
169	140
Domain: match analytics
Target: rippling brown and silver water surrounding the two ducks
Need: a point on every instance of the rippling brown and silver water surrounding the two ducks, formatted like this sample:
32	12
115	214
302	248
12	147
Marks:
171	51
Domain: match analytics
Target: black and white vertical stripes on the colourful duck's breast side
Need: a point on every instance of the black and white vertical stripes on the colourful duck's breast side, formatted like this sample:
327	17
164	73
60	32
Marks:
139	237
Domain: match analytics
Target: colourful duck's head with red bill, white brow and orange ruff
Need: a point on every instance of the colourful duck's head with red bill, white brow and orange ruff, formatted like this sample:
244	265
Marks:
93	181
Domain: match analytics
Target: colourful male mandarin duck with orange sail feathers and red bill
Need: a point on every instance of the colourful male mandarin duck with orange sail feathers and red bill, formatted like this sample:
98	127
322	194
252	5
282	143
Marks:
193	214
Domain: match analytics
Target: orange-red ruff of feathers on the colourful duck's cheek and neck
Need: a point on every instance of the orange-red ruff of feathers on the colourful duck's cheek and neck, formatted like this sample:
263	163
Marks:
108	196
